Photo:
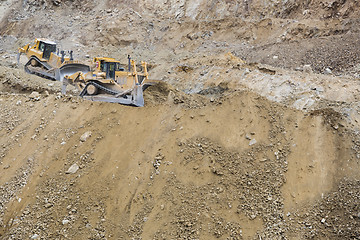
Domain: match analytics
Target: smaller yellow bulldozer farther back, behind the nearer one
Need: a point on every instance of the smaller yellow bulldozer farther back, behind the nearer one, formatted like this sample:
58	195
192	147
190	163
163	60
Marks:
44	61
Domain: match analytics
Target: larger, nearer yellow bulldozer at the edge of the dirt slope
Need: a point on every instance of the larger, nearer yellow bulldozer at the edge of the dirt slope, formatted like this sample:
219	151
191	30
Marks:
108	81
